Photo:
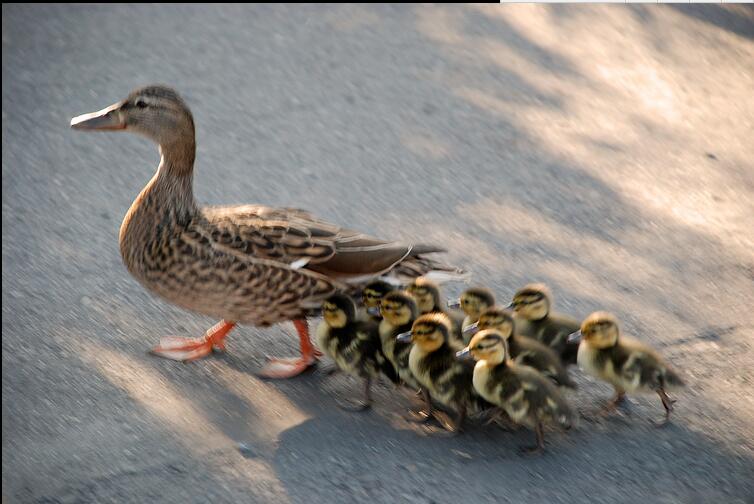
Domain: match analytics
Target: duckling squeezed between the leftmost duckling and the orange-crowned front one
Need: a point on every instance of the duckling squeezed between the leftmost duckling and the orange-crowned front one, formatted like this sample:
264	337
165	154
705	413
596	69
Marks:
398	311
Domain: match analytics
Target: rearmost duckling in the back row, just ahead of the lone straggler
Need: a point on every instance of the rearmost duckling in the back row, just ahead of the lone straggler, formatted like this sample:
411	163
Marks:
535	319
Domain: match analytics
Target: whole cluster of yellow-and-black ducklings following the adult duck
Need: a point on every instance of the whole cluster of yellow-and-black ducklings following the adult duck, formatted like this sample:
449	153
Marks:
521	351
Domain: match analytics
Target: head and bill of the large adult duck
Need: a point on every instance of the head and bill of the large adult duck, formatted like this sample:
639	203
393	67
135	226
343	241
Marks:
156	112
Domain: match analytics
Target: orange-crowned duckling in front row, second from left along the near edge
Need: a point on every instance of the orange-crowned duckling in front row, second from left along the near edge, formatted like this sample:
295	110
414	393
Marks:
434	365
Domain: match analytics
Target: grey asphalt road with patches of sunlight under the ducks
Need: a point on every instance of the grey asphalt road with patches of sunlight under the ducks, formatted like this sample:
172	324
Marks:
603	150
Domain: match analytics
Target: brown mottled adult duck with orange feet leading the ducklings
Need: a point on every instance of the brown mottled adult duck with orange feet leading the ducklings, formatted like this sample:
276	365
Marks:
243	264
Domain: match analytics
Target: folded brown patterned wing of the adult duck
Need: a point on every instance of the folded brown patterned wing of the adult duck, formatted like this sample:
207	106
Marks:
301	240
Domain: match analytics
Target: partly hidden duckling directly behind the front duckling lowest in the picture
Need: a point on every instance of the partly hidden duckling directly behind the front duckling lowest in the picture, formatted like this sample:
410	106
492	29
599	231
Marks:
523	350
